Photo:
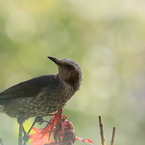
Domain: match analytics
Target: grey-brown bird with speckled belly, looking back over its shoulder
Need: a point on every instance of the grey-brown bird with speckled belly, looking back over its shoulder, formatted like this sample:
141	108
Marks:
43	95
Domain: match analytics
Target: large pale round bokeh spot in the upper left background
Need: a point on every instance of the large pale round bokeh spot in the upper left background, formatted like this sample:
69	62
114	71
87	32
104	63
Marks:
20	26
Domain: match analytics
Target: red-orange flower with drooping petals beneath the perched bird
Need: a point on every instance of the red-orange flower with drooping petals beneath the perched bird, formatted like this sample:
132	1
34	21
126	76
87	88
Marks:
58	131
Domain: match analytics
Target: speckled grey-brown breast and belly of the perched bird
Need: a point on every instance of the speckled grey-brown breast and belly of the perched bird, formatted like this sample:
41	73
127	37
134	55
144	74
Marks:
48	102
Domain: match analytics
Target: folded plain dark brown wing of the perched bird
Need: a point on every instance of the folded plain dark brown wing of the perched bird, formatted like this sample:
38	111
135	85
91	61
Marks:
31	88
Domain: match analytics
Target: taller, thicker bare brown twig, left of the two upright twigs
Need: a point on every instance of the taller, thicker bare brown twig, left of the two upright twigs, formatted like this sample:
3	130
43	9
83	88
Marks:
101	125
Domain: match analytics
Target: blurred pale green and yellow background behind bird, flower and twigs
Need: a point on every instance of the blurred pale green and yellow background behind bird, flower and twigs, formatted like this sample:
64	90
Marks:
107	39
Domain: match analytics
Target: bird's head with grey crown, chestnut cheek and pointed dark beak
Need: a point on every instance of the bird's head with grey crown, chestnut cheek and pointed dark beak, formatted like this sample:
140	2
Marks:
69	71
